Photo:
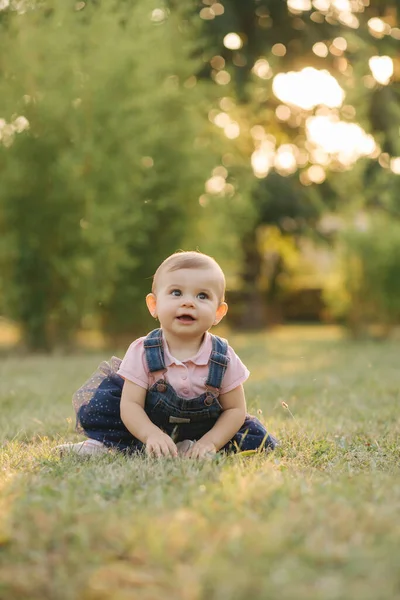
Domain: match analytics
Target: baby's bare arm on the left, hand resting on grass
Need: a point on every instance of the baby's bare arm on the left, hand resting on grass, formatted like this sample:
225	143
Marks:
138	423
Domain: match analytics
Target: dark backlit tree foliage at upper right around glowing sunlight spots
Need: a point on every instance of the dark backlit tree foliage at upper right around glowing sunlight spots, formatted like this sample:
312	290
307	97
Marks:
261	24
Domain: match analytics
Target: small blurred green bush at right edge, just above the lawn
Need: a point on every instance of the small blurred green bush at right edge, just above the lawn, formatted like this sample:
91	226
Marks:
366	290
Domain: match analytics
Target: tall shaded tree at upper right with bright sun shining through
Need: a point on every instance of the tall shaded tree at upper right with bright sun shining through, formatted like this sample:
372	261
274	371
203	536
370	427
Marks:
245	45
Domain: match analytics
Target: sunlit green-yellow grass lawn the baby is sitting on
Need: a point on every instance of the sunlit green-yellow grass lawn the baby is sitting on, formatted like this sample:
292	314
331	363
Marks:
316	520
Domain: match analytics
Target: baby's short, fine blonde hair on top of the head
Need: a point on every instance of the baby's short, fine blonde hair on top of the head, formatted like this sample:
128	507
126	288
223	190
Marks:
190	260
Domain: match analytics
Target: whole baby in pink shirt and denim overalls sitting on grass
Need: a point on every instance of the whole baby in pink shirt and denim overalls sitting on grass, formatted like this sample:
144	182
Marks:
179	390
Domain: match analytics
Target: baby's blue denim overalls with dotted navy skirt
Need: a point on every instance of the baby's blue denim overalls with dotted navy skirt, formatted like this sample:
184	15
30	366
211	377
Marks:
179	417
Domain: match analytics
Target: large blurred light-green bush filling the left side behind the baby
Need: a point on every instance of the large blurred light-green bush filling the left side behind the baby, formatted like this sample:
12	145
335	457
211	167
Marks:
100	187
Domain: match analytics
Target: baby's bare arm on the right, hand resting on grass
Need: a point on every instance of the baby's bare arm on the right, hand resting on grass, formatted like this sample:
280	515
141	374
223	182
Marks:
232	418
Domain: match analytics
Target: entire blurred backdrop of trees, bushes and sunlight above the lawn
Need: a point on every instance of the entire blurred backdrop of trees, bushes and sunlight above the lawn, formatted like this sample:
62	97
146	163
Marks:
263	132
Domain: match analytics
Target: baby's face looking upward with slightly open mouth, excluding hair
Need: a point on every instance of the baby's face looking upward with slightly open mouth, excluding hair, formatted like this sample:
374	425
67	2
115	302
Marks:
187	300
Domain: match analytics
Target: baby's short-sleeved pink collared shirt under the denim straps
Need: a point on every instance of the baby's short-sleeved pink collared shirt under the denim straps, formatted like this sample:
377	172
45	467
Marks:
188	377
